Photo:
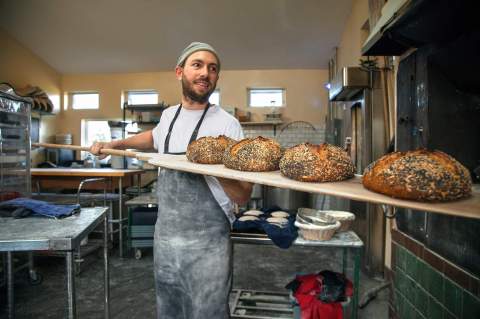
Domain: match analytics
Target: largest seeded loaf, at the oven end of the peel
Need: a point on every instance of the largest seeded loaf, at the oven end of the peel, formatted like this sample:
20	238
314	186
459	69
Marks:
418	175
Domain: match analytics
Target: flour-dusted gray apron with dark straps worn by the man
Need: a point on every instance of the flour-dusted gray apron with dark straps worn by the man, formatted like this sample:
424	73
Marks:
192	248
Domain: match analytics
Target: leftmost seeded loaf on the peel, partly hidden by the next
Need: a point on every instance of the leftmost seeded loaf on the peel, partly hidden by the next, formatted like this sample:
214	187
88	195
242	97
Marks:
208	149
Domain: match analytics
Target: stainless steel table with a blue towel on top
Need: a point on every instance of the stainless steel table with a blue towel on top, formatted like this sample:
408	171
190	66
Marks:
40	233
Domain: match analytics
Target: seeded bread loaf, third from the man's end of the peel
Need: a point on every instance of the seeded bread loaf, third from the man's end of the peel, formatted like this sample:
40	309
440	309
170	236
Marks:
316	163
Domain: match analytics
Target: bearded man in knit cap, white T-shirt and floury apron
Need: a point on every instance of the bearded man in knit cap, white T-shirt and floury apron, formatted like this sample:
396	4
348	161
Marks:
192	248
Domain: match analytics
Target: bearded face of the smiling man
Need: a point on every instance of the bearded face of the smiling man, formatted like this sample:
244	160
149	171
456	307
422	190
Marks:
199	76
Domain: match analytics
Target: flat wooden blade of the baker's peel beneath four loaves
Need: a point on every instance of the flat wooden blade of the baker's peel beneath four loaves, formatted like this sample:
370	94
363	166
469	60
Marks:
351	189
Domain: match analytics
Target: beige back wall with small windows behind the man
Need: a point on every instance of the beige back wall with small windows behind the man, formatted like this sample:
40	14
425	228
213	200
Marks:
305	93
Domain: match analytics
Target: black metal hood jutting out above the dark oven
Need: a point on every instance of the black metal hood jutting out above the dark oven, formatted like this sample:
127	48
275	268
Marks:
415	23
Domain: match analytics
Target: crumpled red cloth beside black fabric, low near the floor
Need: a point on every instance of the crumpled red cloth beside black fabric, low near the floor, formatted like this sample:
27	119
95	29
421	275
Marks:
311	307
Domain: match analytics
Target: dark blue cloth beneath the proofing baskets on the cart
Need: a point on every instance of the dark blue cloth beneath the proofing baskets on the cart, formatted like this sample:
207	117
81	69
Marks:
283	237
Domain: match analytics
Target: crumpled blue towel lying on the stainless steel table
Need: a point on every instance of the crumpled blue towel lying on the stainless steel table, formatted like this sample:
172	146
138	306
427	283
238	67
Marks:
41	208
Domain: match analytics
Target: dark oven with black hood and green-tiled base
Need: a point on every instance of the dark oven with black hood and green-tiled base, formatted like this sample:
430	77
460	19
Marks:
435	262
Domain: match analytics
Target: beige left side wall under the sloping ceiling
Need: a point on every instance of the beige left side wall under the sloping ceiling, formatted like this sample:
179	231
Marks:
20	67
